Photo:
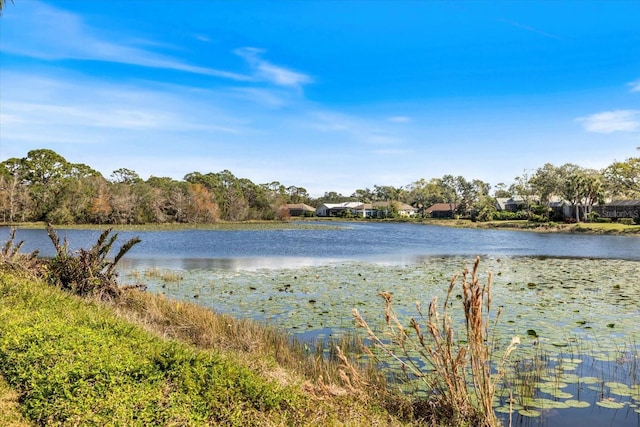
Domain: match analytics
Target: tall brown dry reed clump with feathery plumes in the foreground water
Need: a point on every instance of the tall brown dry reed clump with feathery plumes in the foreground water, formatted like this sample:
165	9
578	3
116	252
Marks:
459	371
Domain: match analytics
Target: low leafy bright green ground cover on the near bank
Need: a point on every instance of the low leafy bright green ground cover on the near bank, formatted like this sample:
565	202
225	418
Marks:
75	363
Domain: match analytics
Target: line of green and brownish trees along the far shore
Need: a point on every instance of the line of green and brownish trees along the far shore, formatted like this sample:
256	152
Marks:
44	186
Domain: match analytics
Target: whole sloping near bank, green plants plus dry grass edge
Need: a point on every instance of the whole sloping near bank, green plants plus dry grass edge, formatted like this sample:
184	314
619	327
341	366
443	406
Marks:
70	360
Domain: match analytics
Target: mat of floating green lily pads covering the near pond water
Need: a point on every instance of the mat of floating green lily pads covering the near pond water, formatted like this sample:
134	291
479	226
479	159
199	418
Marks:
569	310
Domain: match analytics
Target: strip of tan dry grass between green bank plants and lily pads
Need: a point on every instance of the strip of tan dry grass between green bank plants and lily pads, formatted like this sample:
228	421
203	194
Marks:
325	366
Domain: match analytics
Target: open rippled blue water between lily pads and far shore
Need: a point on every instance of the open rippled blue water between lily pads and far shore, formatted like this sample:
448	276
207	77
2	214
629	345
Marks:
374	242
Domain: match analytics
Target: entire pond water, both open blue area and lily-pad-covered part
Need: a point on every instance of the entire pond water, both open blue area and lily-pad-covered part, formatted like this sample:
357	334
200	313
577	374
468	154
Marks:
574	300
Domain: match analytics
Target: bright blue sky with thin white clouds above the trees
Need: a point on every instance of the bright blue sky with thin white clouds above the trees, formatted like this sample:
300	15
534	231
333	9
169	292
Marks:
327	95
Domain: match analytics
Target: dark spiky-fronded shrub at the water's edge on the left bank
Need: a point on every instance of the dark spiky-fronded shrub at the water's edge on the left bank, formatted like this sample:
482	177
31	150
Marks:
88	272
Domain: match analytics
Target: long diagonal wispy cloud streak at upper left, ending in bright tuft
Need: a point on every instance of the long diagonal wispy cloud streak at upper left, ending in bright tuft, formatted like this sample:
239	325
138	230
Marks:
55	34
